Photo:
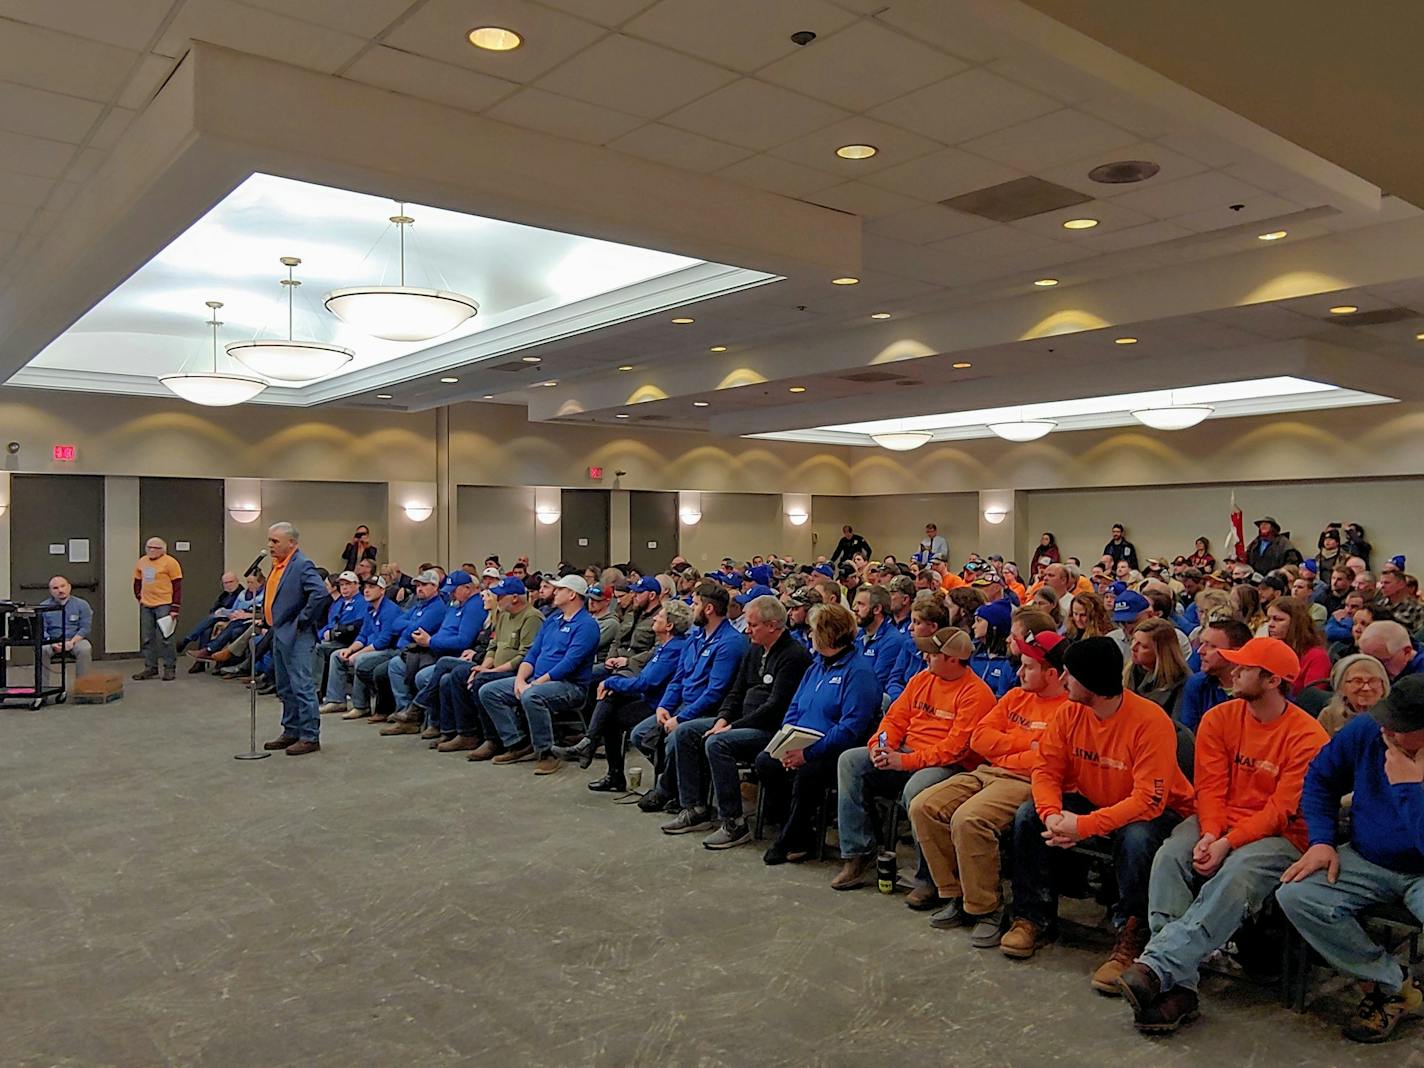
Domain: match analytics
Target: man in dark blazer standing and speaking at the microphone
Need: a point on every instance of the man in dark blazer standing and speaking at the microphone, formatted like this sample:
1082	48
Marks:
295	597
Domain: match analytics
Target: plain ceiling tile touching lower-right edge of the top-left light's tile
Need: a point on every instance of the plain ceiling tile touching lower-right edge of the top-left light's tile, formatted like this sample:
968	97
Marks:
636	78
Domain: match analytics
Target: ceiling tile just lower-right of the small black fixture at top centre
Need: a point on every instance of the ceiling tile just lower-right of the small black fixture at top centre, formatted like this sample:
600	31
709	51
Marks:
862	66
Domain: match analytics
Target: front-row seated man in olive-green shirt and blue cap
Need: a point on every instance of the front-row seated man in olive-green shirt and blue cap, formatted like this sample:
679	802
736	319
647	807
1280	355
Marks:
464	723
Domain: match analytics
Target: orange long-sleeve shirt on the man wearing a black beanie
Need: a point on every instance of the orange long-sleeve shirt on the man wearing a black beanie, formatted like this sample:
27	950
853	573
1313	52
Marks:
1126	765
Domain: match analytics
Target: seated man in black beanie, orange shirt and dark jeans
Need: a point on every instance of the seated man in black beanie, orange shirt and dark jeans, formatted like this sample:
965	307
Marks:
1107	770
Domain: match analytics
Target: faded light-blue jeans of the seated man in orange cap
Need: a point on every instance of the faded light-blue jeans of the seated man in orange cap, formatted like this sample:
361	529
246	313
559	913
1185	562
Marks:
1193	918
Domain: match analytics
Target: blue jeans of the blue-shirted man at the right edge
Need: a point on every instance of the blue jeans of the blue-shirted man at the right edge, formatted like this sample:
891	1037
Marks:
1326	915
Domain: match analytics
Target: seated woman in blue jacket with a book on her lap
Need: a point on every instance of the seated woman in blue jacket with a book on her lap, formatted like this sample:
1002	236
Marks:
838	697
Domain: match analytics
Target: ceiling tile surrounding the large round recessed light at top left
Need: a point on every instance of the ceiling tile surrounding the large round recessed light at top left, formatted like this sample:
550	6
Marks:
439	31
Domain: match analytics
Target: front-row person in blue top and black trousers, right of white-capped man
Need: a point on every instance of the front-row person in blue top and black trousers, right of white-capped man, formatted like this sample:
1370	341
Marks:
626	701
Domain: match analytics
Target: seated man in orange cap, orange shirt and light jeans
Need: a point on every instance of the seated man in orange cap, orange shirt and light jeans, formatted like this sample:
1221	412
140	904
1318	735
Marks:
1224	864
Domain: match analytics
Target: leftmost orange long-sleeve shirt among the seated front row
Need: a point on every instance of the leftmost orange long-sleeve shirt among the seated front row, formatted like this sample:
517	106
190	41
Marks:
935	718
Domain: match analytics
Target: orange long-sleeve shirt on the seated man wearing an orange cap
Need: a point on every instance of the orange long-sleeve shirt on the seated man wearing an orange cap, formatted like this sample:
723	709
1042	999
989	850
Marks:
1250	775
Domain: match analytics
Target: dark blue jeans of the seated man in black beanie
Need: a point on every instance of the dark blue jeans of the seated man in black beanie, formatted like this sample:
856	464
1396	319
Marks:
1039	867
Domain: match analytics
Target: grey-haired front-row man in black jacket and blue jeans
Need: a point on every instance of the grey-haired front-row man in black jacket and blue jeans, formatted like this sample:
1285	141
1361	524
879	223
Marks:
753	710
